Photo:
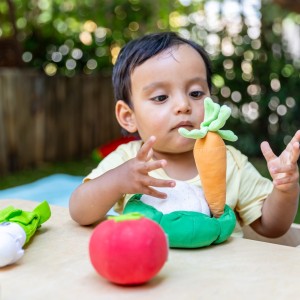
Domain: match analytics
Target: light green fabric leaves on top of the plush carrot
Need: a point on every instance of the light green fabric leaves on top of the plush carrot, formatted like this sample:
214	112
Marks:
215	117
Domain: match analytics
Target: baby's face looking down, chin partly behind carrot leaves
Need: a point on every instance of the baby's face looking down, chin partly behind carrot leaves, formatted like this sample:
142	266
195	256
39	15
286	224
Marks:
167	93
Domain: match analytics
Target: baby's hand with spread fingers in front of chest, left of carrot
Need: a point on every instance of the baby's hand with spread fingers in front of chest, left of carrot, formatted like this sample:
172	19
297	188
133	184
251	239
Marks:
138	180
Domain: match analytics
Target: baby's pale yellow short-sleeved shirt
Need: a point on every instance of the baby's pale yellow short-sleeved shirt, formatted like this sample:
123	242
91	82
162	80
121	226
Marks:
246	189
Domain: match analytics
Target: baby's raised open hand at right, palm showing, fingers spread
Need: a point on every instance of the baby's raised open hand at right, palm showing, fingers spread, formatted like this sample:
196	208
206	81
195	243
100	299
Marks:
284	168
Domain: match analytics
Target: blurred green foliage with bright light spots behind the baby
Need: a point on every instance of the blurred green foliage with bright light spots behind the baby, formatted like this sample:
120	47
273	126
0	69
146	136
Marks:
256	68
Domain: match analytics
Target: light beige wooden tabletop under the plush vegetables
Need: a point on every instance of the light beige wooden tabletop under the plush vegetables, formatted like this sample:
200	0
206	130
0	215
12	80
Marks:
56	265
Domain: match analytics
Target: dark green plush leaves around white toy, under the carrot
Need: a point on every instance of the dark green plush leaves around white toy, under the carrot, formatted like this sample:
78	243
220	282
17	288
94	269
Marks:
187	229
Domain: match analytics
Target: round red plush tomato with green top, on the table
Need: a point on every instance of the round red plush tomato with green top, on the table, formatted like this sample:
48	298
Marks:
128	249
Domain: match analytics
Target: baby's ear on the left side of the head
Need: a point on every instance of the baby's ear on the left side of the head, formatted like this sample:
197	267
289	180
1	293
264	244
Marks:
125	116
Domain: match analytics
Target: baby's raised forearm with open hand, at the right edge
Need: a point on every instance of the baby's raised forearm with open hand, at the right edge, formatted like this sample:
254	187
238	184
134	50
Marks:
280	207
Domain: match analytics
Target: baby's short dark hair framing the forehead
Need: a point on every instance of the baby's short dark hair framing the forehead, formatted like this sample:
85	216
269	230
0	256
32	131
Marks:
138	51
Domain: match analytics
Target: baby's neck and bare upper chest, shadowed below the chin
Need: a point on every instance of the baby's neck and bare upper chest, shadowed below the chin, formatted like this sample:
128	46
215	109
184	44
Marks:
180	166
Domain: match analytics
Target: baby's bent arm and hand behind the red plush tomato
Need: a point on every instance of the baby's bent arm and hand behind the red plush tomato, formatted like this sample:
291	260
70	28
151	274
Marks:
93	199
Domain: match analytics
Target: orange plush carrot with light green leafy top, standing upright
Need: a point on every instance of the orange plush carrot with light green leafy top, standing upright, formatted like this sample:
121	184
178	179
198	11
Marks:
210	153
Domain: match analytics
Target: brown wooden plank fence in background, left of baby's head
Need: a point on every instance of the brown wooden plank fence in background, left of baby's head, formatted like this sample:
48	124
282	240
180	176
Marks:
52	118
